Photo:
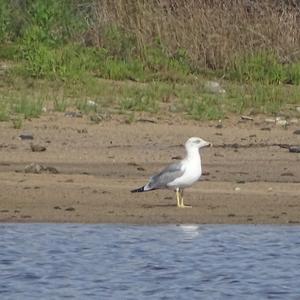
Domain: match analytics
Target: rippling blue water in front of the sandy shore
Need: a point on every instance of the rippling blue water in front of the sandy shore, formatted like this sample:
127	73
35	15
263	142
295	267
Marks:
51	261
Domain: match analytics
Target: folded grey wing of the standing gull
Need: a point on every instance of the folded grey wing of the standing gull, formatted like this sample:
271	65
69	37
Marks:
166	176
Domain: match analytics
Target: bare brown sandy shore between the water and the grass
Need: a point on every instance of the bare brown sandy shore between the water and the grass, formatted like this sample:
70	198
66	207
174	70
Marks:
250	176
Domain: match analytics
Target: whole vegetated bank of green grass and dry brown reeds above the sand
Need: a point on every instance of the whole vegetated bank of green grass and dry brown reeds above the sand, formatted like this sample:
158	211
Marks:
126	56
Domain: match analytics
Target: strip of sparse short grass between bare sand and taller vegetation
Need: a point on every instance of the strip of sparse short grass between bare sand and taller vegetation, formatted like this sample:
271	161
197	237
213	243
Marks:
25	98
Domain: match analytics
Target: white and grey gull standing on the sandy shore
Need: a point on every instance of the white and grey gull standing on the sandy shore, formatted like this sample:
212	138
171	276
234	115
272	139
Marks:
180	175
